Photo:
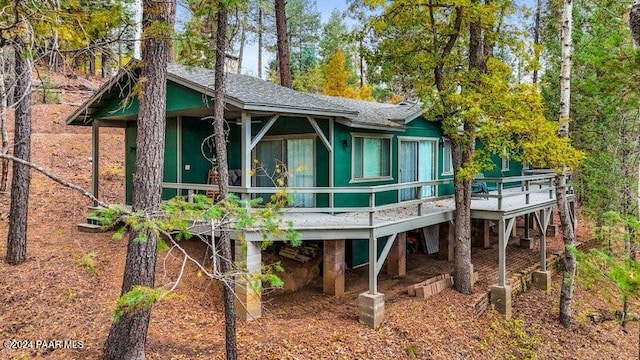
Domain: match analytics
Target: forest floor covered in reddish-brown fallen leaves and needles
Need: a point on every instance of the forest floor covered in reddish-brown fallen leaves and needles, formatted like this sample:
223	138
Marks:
53	297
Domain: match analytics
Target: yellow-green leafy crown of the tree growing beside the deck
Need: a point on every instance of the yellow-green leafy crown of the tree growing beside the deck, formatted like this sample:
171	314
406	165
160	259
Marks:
424	51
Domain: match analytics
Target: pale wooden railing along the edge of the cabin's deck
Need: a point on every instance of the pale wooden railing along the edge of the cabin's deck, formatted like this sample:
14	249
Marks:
527	184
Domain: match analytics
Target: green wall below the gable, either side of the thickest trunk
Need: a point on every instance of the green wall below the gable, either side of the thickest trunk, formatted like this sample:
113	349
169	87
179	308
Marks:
170	158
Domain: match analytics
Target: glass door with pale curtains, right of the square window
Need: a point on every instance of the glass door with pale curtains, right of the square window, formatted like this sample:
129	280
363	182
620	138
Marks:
417	163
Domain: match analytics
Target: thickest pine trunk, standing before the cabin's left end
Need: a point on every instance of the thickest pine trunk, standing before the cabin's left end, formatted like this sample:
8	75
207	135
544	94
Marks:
127	337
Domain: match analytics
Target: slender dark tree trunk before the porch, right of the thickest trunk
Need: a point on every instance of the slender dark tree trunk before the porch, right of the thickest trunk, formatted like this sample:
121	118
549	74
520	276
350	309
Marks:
223	182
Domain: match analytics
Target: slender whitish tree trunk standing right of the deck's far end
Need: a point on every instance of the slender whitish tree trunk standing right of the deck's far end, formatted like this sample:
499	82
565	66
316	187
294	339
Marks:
568	235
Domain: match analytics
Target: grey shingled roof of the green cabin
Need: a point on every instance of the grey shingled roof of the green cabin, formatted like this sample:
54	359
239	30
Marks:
251	93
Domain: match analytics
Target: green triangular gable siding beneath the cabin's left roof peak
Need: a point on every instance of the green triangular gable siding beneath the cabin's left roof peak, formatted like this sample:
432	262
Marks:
179	98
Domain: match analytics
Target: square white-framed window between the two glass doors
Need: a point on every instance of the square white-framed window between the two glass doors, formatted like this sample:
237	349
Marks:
371	157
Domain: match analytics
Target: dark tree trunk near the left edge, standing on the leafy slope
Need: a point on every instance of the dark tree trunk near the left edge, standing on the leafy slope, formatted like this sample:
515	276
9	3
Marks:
18	211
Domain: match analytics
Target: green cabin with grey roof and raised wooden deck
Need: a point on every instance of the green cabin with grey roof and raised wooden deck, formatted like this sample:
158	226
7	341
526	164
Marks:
362	173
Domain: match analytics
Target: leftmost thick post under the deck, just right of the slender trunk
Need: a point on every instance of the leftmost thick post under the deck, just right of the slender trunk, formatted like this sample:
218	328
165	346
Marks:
248	300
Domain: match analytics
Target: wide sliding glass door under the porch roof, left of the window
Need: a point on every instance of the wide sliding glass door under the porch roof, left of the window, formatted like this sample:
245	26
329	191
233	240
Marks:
291	161
